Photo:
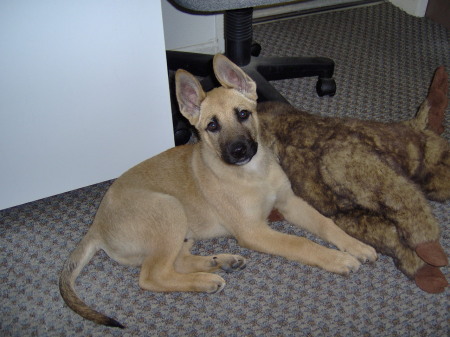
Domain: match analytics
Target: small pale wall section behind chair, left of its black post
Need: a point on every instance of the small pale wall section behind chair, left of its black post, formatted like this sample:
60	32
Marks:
201	33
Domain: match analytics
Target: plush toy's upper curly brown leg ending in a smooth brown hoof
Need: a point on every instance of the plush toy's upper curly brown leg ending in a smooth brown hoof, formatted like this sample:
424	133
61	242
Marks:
346	168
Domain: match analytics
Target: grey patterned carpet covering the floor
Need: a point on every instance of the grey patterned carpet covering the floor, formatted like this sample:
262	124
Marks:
384	62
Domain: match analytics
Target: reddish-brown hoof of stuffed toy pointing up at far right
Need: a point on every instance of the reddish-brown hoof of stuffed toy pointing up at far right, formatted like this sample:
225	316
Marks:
438	100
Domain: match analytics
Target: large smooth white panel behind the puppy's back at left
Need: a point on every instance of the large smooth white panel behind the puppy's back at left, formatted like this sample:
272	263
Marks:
83	93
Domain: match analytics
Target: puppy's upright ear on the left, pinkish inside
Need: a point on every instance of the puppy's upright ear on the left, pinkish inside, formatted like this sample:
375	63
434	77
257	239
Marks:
189	95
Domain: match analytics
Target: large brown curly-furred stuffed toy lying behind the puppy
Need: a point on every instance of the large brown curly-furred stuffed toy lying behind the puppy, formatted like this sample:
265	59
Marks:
373	178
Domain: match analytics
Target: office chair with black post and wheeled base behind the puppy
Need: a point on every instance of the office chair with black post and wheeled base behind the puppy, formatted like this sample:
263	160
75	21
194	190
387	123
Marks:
240	48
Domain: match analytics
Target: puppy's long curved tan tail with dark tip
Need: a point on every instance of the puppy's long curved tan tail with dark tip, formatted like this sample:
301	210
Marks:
82	254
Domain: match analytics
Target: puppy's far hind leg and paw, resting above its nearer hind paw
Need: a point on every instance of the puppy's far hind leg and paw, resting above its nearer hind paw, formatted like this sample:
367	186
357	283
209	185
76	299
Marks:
189	263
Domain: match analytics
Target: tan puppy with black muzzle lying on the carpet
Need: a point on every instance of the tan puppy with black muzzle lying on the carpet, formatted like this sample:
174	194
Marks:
225	185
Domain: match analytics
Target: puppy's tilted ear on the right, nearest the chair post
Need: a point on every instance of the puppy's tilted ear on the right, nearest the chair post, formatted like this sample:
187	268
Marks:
232	77
